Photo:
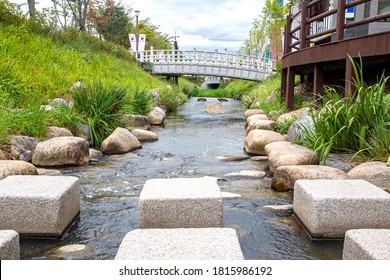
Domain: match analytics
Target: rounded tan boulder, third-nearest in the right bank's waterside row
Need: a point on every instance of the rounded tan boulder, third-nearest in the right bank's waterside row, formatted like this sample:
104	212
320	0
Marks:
257	139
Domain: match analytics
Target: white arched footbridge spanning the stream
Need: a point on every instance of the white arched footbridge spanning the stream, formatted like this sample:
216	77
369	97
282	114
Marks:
203	63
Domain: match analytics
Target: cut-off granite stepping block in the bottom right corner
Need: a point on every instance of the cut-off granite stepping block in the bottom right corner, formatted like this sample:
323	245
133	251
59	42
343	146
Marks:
367	244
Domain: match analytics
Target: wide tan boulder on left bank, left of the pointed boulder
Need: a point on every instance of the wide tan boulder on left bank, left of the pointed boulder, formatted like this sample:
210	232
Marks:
60	151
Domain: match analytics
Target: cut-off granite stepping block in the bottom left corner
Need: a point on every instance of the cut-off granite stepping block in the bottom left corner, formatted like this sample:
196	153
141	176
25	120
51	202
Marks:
9	245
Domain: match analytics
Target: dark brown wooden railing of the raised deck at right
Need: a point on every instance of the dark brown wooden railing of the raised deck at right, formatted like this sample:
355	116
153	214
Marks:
301	31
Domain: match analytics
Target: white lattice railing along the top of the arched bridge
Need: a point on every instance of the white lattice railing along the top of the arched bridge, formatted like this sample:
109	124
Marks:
208	58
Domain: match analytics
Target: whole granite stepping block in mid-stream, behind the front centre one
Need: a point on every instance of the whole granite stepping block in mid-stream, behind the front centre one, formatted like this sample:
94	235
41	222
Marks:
181	203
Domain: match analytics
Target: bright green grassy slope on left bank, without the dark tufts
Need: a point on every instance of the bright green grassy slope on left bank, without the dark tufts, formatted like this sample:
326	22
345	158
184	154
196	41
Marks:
35	69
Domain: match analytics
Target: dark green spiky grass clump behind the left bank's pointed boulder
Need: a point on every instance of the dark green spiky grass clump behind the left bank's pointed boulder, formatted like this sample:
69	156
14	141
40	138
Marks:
102	108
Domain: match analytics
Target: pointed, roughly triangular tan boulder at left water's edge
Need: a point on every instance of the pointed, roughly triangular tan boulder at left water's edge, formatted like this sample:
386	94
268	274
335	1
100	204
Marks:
121	141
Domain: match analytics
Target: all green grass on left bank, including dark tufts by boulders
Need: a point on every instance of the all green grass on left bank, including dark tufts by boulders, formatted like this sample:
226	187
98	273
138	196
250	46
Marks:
38	64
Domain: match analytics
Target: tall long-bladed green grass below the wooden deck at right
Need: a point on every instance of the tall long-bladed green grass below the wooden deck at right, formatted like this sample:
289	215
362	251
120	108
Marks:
358	124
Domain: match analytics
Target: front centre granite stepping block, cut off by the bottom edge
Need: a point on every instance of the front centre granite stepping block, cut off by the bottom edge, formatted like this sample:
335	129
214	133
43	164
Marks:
180	244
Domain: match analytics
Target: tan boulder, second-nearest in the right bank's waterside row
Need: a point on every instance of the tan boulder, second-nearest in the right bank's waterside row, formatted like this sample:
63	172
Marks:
284	153
